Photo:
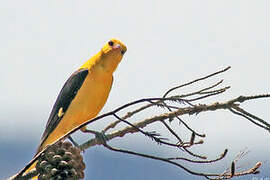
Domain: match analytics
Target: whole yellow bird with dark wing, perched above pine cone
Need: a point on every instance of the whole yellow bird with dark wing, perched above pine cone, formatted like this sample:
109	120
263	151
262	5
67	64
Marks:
84	93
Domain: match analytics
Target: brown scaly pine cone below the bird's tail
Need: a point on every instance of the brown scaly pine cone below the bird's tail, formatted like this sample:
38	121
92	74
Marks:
61	161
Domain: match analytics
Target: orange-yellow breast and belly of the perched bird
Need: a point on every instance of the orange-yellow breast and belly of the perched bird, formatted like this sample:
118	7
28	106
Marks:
89	100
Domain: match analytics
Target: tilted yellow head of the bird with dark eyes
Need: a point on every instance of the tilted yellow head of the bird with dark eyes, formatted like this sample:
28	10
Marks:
111	54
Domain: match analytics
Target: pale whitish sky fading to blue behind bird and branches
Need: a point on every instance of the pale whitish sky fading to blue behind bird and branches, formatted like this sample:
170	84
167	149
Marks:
169	43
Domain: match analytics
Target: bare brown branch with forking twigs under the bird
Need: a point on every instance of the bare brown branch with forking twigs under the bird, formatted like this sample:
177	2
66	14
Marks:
176	106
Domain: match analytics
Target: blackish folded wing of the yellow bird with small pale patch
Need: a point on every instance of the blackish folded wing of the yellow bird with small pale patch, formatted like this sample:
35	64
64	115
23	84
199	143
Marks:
64	99
